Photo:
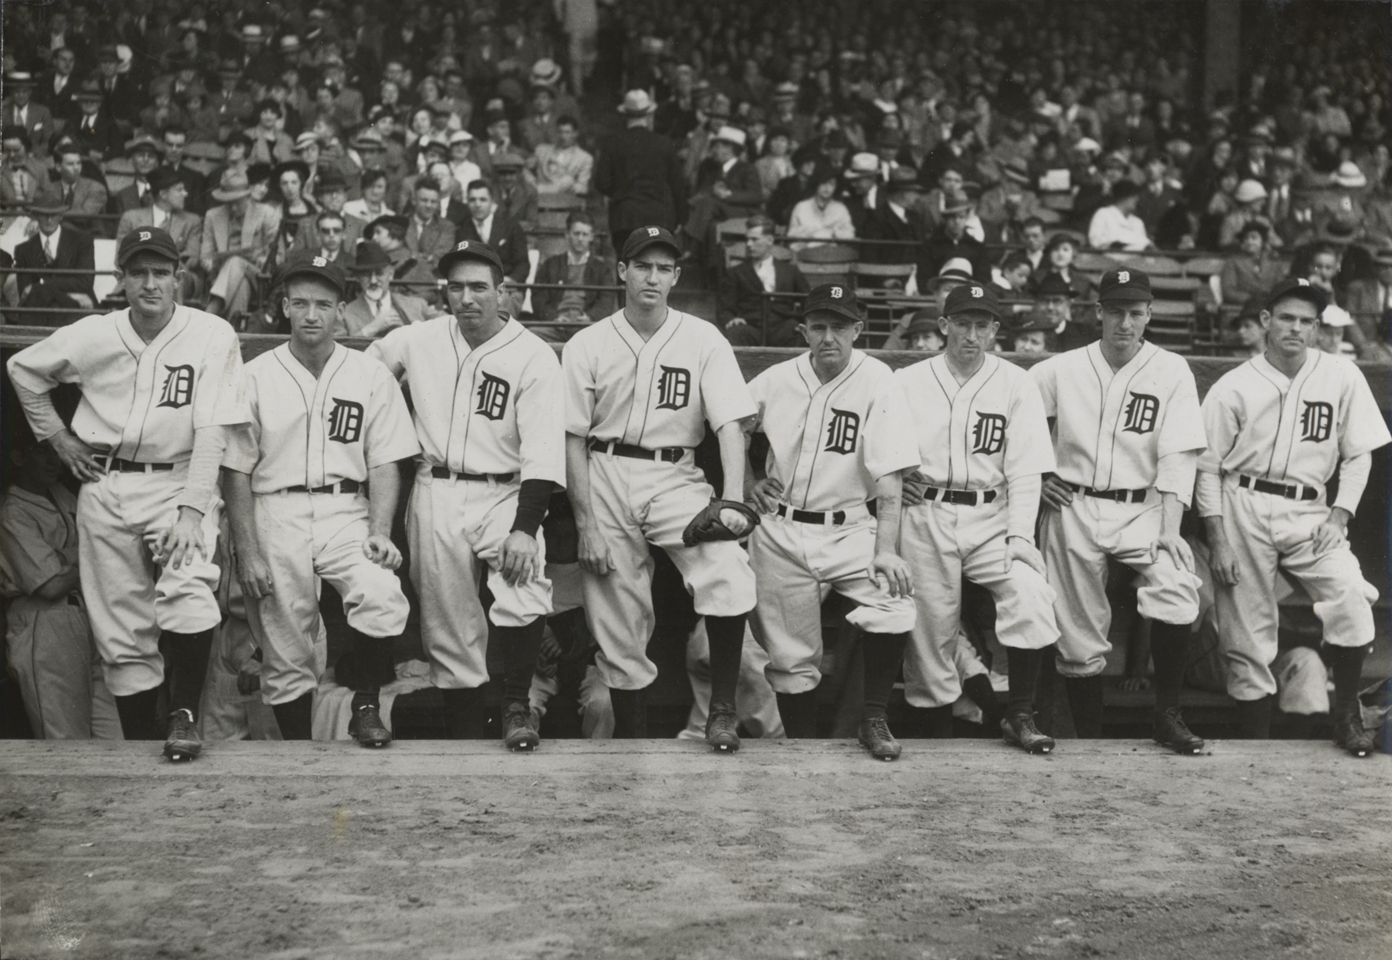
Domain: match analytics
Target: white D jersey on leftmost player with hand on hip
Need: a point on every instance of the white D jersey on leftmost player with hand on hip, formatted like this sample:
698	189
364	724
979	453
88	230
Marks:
143	401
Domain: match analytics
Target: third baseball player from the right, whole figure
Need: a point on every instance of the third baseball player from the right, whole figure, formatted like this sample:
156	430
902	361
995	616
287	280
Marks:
982	449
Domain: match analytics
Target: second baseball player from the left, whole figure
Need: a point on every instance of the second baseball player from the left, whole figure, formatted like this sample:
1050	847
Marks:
311	488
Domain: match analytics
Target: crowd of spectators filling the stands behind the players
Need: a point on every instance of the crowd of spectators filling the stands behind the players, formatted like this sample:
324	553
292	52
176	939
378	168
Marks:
1011	137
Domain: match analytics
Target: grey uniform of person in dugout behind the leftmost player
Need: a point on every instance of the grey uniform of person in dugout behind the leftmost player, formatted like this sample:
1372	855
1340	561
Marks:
48	642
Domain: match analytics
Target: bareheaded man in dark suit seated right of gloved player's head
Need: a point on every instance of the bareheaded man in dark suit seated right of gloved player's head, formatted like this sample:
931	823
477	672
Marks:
741	303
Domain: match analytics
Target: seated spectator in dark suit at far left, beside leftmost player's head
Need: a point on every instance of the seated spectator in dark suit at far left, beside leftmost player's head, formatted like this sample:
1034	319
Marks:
59	248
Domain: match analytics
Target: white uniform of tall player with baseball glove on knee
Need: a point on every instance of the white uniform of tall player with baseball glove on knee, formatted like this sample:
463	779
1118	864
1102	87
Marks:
658	396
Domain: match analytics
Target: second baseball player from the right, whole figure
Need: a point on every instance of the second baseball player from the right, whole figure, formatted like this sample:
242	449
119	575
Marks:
1127	436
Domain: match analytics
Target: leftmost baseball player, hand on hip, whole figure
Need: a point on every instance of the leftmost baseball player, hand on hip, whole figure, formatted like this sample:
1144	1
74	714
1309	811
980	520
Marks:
161	386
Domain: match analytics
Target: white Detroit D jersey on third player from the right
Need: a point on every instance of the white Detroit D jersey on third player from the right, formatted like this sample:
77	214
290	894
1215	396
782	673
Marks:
981	435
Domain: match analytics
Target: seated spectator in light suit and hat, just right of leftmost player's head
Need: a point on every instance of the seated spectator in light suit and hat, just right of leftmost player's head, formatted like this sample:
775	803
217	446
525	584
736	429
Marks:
237	240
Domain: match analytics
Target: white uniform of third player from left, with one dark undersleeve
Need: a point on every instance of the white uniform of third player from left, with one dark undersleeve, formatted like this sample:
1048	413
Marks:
493	414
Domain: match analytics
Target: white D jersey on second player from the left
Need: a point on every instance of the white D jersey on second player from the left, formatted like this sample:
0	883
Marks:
310	432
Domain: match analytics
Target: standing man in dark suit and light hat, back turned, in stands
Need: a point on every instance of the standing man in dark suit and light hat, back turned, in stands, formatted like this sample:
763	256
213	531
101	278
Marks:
640	173
